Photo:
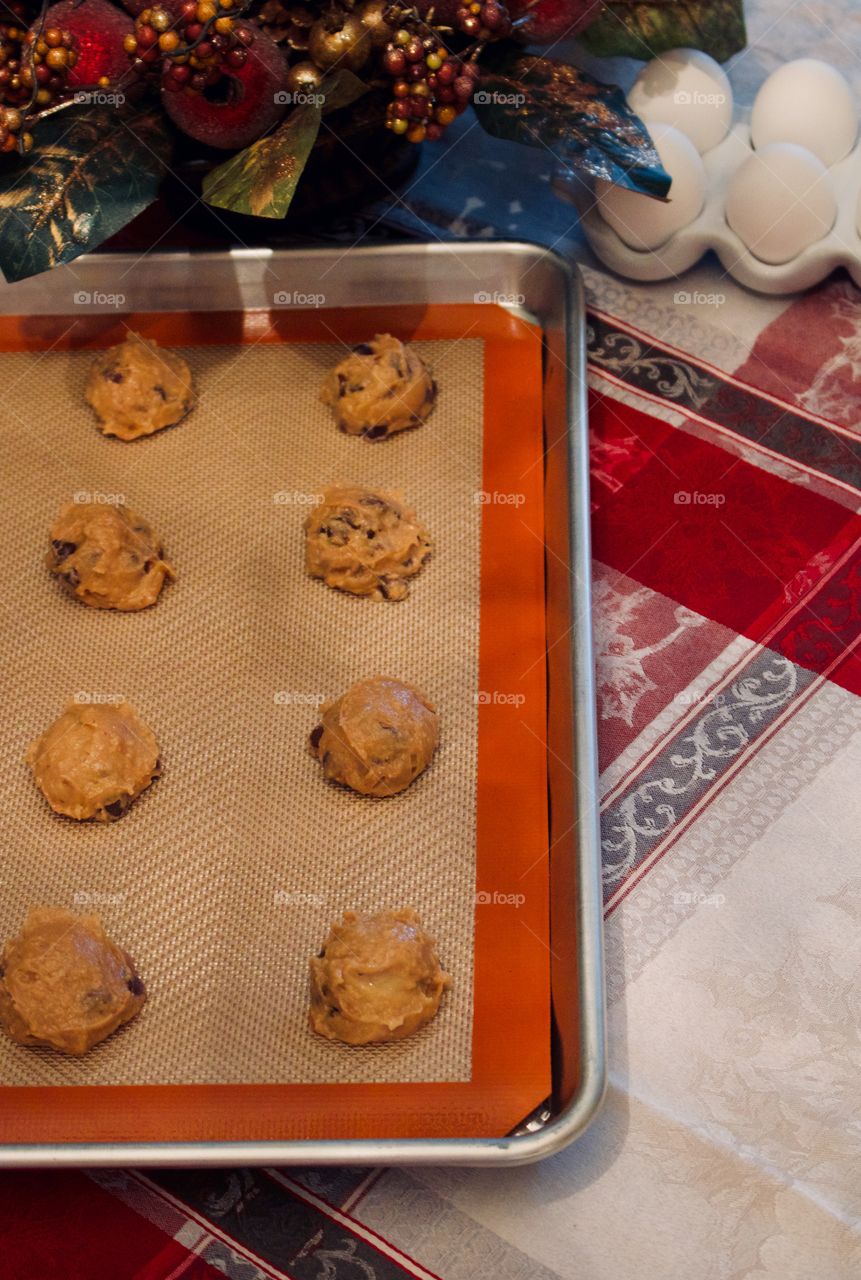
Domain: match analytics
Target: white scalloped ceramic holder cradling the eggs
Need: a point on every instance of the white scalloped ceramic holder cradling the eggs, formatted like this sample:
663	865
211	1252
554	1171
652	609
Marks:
711	231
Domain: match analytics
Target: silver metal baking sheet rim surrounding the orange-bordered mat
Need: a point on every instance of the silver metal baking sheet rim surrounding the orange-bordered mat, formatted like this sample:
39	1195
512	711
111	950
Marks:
544	290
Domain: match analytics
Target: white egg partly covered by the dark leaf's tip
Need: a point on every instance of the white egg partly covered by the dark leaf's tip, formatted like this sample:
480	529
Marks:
645	223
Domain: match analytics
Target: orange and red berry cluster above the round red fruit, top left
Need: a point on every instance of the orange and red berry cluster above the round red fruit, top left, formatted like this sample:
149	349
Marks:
193	44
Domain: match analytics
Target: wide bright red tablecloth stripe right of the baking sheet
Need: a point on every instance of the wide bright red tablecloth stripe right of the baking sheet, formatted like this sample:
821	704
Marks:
746	563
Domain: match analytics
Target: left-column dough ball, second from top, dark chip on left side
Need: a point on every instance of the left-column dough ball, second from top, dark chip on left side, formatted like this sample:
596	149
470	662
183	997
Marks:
108	556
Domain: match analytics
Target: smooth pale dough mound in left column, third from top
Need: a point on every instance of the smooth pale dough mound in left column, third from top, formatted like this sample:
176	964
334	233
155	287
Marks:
95	761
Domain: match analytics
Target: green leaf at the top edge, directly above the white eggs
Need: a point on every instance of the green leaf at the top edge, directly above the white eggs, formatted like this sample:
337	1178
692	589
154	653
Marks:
638	30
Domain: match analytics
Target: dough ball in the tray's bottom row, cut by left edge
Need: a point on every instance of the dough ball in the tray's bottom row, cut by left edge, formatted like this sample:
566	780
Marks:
65	984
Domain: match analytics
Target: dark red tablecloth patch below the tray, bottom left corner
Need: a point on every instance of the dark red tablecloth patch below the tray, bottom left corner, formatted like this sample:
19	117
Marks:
59	1224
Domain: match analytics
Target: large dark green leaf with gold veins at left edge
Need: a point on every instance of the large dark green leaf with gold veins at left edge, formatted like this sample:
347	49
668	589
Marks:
93	170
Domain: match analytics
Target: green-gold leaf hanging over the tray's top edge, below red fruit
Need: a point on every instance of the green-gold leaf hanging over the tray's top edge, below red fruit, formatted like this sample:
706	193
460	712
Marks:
263	180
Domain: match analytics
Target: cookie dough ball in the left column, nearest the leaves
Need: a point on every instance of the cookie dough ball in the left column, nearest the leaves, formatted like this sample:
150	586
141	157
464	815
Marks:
139	387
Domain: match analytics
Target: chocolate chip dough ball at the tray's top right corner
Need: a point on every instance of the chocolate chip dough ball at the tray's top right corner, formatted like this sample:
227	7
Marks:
381	388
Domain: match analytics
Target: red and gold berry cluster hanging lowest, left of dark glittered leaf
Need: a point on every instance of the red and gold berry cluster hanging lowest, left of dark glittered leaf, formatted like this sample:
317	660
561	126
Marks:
432	86
